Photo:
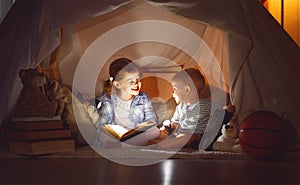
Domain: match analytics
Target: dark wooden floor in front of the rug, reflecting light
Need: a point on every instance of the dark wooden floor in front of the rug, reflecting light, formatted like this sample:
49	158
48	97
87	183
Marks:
172	171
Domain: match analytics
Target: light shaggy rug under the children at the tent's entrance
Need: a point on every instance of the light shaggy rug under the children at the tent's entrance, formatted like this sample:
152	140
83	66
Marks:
133	153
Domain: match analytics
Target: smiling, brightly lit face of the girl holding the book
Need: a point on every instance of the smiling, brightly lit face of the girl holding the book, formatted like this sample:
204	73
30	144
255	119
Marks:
129	86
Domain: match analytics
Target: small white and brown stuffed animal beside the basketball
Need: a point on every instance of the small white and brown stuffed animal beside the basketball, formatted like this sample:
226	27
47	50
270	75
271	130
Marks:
228	141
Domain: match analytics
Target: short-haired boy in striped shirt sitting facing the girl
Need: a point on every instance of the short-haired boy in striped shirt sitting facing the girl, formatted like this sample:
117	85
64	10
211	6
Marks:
191	115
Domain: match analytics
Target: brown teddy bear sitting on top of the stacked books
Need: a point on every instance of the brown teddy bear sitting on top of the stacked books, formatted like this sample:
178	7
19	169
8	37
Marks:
32	100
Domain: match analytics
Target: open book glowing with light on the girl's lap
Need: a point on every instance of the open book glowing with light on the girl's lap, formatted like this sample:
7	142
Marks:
123	134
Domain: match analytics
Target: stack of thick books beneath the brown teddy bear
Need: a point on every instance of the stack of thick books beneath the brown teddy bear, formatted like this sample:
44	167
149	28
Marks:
38	136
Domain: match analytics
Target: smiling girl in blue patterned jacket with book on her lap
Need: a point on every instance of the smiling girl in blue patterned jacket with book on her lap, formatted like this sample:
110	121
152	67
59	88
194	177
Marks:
123	104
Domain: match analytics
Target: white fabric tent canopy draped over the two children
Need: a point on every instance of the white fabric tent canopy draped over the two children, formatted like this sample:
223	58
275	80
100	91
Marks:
259	61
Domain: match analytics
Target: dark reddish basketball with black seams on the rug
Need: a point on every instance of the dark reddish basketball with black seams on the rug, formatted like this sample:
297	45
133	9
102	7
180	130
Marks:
263	135
